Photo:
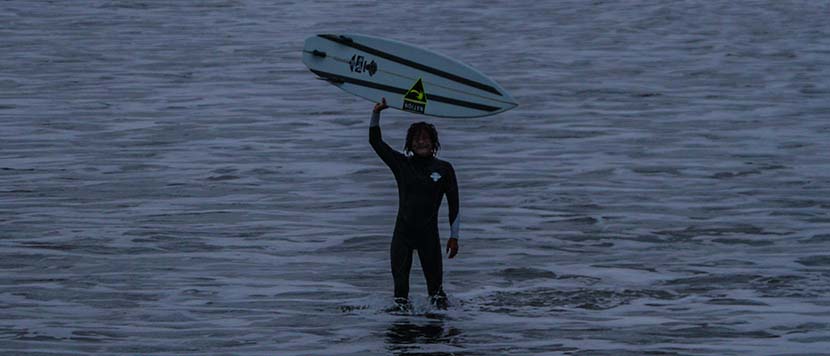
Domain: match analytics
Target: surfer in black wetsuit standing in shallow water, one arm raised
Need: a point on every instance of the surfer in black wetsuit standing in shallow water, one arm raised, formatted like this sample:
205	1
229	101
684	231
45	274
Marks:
422	180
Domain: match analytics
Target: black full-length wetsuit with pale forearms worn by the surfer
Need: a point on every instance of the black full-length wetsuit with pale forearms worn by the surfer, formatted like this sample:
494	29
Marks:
422	184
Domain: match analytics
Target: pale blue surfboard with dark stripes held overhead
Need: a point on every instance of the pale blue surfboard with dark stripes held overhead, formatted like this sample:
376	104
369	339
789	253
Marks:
411	78
